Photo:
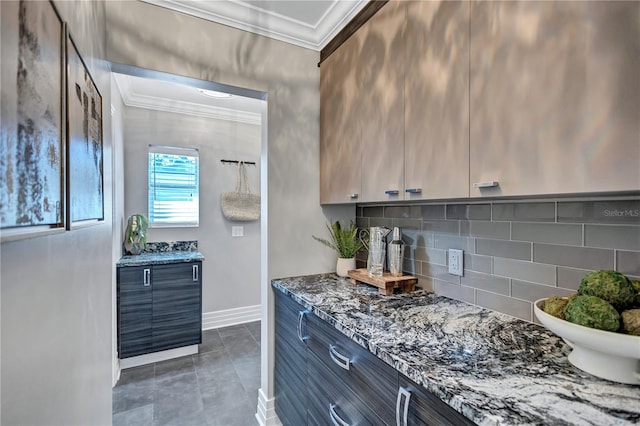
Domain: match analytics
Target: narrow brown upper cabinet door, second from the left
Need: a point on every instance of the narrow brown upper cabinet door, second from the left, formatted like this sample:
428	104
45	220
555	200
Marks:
380	71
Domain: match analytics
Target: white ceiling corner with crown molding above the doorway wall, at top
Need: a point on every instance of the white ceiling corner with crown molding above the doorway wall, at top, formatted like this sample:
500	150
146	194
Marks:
306	23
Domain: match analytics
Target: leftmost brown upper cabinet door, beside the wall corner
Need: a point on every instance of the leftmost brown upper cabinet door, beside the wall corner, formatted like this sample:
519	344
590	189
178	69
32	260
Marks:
340	126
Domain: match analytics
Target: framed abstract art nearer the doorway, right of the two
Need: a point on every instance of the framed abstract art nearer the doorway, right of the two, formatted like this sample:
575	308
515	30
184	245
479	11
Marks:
85	187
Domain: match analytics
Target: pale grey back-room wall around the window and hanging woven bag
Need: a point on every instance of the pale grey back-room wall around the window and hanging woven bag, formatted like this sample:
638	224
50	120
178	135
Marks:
231	270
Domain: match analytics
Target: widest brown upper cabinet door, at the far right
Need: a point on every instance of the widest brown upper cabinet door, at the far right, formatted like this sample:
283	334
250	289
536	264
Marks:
555	97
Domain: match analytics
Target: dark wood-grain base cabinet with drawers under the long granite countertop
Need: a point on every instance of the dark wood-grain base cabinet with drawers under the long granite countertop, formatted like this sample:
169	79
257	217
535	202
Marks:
322	377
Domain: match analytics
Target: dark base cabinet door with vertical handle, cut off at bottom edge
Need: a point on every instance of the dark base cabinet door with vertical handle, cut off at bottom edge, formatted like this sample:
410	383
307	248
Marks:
424	408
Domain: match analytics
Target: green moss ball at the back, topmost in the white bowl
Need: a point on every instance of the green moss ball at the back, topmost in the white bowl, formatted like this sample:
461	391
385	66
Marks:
610	286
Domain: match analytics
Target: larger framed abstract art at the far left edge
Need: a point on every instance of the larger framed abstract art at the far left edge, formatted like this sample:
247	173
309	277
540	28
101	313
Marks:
32	139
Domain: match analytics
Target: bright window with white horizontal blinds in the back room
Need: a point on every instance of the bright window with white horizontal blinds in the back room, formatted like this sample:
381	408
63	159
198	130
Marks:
173	186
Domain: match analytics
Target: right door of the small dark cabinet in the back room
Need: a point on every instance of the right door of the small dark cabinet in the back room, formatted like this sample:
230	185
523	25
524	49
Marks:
177	305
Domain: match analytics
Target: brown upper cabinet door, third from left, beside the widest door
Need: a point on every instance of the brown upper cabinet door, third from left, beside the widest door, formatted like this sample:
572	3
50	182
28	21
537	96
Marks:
436	89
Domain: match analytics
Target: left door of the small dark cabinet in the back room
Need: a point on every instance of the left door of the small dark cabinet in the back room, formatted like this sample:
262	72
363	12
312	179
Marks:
135	310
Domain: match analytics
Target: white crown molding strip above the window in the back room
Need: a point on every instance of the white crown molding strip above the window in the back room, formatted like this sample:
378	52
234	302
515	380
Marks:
132	99
